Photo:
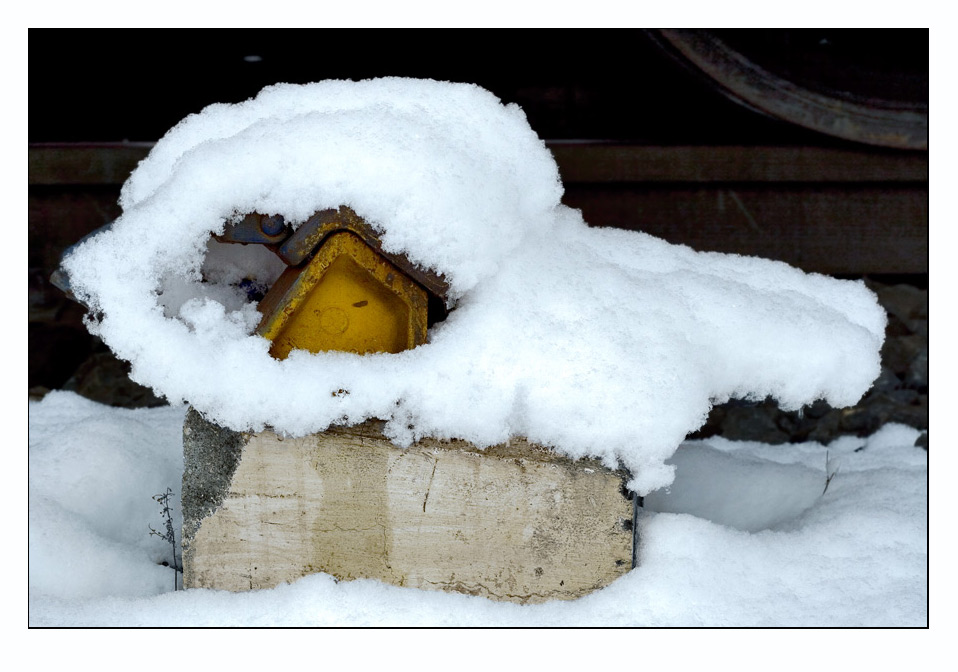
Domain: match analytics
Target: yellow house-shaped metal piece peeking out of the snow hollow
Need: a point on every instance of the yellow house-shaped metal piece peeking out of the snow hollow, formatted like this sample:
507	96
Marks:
347	297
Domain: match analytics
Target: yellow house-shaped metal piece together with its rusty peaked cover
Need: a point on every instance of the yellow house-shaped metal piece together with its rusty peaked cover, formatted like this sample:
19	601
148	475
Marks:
341	290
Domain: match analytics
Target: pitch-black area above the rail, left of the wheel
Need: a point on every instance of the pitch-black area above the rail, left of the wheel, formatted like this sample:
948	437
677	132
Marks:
135	84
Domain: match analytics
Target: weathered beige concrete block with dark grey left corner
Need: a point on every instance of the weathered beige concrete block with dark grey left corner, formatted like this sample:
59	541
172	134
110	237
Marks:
514	522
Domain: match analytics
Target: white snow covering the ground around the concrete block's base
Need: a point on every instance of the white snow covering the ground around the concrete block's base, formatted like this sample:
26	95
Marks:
746	538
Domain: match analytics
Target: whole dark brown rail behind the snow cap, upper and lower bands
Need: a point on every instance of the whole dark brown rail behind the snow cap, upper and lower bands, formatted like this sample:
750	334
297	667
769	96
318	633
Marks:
836	211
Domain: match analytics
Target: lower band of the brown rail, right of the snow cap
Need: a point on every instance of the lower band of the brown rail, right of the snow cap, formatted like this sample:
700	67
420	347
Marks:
828	229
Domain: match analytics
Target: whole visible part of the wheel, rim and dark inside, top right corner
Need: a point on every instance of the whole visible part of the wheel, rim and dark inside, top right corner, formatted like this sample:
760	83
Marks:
865	95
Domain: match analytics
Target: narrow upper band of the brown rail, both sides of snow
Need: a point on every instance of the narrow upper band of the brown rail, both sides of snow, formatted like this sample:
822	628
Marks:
579	162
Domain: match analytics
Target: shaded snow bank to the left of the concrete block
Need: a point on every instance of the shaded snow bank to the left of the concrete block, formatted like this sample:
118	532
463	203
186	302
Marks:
93	471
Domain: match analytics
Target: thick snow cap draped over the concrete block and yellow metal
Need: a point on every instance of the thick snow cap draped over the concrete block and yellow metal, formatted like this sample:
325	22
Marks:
596	342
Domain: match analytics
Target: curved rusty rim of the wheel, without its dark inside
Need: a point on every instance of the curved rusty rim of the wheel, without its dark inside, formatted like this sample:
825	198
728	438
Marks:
875	123
